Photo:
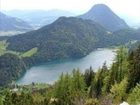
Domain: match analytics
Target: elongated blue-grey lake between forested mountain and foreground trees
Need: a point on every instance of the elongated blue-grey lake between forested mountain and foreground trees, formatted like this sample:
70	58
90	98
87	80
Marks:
50	72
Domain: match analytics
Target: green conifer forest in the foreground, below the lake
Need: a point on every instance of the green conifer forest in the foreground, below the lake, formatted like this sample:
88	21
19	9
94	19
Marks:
107	86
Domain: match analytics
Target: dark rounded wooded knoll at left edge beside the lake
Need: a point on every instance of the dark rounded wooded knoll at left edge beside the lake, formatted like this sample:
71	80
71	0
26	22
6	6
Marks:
11	68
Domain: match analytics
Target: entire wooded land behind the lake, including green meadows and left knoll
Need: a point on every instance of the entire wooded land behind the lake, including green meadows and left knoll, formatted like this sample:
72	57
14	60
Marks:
66	38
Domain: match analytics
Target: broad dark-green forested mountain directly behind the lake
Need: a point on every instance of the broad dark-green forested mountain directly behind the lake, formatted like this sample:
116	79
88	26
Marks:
65	38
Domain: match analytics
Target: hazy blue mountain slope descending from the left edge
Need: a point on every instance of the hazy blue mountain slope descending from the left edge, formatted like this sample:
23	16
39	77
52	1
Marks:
8	23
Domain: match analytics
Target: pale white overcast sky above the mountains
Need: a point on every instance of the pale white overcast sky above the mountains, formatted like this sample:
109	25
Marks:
128	9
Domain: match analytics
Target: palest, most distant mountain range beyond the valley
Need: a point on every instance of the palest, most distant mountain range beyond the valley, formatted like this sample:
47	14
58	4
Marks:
38	18
